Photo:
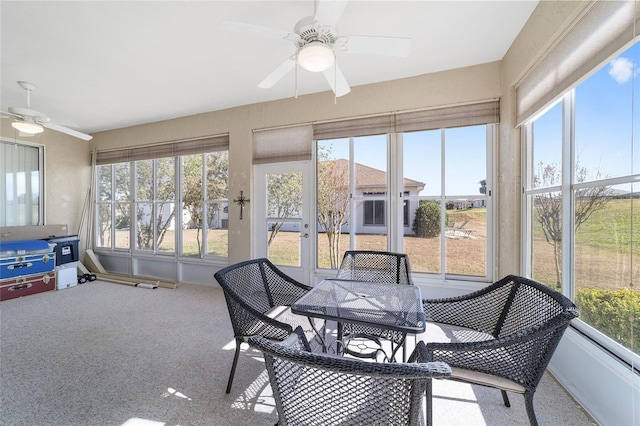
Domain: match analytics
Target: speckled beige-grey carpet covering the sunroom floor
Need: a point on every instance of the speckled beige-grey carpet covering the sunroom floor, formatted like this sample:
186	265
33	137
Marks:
111	354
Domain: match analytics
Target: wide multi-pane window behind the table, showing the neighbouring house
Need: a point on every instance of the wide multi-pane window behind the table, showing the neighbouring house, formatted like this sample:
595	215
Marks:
423	193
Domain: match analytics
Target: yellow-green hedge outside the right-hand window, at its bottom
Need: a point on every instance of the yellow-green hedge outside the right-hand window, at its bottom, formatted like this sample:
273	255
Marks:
615	313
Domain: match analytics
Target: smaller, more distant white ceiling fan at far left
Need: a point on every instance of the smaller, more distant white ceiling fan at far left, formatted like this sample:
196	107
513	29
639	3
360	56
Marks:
30	122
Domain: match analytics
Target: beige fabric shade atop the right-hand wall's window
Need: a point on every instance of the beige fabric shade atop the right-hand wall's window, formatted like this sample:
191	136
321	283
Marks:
602	29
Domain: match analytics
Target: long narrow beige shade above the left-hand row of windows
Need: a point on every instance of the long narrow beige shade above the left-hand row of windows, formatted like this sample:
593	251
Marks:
163	150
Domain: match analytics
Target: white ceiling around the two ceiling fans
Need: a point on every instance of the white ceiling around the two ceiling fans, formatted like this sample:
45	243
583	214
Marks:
107	65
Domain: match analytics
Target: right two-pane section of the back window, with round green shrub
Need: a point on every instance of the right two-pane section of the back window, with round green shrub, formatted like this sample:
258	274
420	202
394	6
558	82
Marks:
452	163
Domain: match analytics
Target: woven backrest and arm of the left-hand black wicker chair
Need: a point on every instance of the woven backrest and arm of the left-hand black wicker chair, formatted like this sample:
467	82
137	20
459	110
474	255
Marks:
252	288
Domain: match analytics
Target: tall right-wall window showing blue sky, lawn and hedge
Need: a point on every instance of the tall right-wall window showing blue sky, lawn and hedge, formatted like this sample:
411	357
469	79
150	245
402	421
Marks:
582	199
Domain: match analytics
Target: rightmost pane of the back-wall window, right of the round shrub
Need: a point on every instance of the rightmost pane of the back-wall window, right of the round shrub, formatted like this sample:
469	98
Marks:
465	170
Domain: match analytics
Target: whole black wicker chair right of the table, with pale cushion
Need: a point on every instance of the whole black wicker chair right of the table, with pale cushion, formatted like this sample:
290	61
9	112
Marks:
502	336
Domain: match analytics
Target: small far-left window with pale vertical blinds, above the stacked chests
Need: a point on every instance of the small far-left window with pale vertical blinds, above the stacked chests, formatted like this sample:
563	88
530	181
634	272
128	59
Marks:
21	184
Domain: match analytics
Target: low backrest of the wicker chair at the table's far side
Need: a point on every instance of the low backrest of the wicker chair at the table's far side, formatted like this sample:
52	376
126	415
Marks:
375	266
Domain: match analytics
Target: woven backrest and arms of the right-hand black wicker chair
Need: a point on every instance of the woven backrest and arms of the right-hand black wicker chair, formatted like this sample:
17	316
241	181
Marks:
526	318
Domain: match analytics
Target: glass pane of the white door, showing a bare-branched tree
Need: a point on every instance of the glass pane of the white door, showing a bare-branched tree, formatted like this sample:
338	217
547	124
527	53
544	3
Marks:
284	217
